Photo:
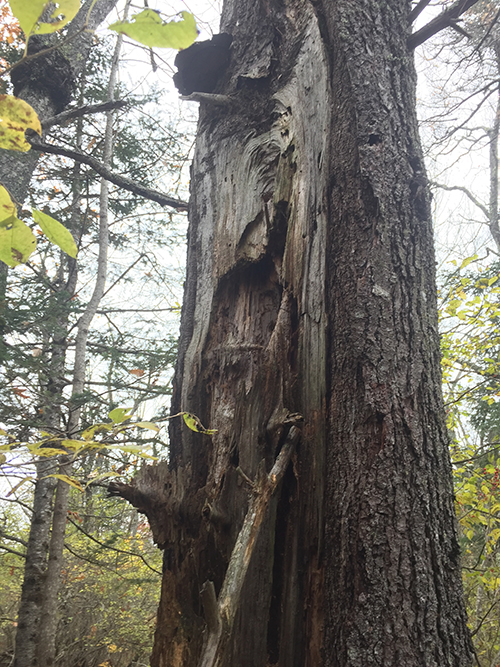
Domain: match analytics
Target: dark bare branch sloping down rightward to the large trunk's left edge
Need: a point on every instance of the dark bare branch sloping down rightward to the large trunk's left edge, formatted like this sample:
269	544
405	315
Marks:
111	176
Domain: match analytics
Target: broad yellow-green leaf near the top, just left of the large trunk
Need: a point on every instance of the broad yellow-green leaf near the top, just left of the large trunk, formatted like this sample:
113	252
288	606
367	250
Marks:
148	29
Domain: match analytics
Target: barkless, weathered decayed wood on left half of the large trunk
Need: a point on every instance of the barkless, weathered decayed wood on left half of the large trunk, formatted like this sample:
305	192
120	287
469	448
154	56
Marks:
253	345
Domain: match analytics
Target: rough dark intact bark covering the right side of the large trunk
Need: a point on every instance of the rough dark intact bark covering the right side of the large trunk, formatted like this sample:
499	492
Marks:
392	558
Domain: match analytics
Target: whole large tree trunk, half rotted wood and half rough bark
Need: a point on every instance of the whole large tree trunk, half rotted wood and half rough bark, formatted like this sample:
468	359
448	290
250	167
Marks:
310	289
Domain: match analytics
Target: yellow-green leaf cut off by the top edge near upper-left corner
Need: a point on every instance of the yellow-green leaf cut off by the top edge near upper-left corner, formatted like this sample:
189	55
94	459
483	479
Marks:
29	13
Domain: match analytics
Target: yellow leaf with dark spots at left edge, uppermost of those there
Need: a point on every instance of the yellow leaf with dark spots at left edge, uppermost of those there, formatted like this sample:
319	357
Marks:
16	116
